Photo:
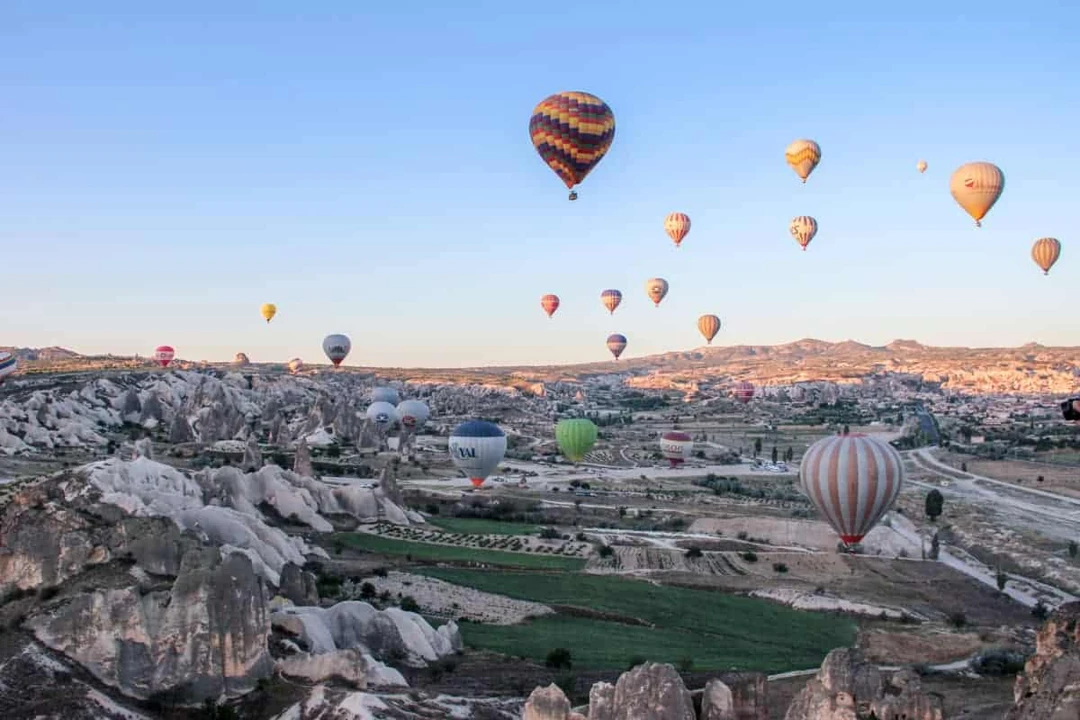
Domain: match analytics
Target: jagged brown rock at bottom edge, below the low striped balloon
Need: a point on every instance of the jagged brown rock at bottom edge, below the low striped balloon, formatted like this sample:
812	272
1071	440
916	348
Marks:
848	688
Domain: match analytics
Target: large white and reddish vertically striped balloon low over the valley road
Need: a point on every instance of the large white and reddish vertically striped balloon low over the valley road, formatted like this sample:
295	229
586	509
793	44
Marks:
853	481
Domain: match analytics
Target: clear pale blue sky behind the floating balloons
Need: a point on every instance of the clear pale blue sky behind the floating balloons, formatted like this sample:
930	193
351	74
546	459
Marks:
368	168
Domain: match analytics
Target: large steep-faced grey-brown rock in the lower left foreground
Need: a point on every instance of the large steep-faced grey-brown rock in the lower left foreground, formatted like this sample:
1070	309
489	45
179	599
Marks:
204	637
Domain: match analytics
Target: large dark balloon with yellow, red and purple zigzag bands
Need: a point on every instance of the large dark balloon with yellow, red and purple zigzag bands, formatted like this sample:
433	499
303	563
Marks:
572	132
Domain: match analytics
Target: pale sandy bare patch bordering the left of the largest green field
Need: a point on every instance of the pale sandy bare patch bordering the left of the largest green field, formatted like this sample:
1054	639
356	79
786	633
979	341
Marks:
444	600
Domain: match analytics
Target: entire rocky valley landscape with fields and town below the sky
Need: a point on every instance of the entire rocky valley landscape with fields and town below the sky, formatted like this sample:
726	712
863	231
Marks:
214	540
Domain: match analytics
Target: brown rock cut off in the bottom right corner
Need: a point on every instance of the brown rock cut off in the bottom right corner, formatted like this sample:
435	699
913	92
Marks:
1049	689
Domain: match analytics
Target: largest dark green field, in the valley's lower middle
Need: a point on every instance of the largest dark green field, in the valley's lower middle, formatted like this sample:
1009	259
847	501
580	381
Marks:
715	631
